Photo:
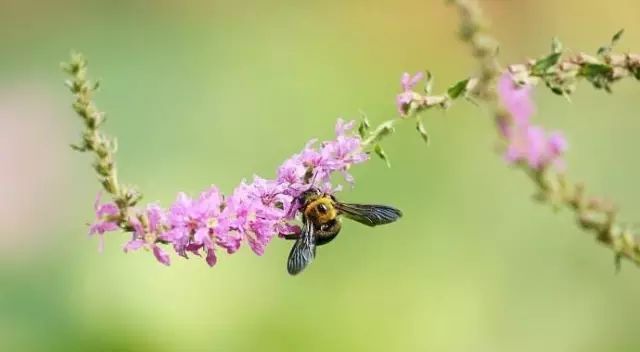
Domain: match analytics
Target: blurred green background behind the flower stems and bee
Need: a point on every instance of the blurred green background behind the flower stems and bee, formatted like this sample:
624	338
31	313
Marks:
202	92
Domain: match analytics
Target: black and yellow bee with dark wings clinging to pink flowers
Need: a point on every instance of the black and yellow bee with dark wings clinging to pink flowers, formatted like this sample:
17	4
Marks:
321	223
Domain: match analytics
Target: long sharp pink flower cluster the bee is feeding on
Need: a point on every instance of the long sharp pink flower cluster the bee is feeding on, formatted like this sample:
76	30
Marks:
254	213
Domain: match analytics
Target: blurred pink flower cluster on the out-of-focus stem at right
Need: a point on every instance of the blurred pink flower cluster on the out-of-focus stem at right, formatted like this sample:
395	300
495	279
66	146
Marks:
526	142
